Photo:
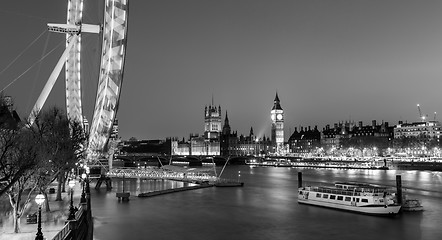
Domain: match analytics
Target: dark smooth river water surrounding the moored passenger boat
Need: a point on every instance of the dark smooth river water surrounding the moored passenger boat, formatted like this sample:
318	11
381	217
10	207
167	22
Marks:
265	208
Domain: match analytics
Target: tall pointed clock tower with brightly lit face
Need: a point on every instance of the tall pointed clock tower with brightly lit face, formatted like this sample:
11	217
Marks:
277	116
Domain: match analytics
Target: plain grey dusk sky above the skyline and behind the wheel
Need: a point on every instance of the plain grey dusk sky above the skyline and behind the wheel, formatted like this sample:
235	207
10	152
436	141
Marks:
328	60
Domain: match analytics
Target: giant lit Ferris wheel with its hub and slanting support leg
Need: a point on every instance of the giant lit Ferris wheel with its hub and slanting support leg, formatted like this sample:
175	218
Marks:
113	51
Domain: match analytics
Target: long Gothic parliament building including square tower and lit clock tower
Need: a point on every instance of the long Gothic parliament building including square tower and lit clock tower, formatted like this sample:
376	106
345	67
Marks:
219	139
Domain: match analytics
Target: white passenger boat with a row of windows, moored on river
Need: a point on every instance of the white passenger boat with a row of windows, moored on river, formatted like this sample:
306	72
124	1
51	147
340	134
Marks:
350	196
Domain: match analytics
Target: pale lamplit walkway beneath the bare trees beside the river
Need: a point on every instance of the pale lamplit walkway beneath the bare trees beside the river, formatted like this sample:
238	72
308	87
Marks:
52	222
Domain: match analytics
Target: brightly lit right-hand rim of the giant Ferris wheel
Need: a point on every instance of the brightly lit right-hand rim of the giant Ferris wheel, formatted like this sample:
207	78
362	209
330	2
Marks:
114	34
